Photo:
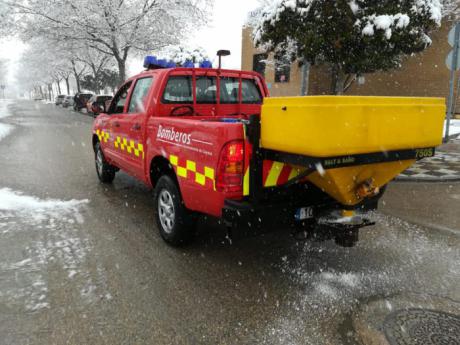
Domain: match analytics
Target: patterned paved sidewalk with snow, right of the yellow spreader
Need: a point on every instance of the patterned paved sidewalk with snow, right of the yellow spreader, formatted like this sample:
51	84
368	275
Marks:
443	167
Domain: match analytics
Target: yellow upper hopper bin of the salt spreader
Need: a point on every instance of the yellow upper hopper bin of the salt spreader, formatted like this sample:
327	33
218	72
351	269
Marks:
323	126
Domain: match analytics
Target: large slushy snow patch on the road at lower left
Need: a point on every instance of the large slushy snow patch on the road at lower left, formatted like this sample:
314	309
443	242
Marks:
35	235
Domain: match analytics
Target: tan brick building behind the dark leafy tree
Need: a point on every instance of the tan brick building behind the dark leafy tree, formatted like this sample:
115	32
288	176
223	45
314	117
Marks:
423	74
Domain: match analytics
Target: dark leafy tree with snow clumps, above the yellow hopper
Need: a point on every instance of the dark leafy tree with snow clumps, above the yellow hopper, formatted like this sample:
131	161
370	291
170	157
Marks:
353	36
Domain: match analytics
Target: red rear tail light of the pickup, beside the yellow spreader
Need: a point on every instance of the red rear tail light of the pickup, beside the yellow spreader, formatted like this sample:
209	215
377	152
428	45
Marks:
231	168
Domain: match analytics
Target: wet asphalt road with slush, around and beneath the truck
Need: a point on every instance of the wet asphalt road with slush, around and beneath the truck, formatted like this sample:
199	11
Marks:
82	263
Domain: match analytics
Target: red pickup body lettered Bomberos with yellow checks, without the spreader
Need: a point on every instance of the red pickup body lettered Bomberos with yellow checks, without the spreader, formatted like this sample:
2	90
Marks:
185	123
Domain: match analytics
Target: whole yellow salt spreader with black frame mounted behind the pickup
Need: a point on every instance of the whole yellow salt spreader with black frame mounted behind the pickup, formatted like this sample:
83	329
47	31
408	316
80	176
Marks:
344	149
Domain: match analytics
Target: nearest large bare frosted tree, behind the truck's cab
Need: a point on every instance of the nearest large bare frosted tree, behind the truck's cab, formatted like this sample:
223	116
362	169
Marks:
115	28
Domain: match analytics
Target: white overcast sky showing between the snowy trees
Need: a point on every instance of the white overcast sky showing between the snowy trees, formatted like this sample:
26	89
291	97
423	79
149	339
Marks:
223	32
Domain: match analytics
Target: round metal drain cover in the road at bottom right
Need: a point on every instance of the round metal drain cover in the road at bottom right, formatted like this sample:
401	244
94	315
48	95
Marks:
422	327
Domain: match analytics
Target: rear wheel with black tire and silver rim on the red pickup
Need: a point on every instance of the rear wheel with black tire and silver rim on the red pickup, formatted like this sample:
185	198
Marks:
175	223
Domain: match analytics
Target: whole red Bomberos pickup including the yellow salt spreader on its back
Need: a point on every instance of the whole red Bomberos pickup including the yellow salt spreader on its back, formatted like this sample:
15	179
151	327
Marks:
211	141
